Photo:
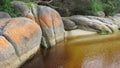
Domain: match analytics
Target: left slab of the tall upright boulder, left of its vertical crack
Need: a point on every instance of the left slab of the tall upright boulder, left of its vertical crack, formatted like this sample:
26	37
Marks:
46	24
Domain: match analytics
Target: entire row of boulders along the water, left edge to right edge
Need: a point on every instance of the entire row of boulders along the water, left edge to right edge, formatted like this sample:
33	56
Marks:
22	37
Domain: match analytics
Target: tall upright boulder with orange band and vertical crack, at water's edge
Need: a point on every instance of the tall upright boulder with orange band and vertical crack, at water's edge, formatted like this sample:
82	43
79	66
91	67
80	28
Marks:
52	26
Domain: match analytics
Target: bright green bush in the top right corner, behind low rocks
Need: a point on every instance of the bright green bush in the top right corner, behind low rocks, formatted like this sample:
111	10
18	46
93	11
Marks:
108	6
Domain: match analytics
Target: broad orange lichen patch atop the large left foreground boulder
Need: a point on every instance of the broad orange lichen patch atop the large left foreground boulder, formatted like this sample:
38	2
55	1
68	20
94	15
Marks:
24	29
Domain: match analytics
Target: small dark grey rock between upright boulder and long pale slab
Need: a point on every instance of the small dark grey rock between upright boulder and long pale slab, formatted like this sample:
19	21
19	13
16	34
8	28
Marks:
68	24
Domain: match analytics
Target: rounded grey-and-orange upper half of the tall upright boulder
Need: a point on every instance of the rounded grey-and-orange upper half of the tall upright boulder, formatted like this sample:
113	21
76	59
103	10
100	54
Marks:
49	16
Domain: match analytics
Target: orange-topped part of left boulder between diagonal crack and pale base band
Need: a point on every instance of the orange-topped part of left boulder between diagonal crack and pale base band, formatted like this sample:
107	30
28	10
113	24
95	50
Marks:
24	33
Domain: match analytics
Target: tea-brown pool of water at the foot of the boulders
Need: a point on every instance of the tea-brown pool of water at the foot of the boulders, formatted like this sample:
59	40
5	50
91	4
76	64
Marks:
90	51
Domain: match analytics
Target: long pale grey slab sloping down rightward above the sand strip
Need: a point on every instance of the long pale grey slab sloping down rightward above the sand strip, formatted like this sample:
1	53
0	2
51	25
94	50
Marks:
90	24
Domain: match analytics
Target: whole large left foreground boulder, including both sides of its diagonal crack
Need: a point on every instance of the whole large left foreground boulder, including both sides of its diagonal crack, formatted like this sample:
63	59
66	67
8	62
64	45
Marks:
24	37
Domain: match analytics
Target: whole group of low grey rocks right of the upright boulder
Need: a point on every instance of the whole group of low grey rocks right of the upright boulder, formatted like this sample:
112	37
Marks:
100	25
